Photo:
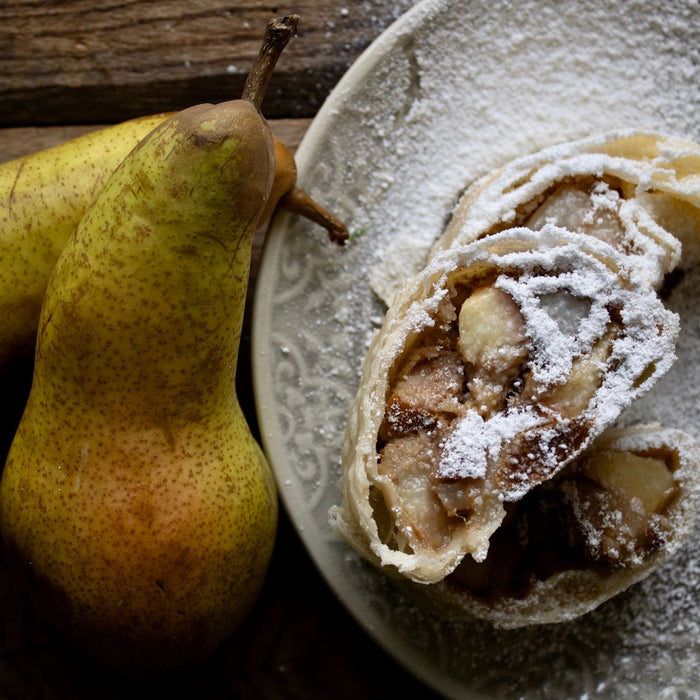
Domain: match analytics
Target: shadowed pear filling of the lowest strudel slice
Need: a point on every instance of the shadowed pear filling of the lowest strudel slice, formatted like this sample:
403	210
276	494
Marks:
608	510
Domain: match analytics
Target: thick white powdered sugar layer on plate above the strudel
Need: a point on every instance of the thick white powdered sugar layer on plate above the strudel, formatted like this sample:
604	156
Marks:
523	89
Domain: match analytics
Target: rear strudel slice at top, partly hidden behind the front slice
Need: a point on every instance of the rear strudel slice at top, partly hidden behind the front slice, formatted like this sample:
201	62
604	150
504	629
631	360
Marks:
640	191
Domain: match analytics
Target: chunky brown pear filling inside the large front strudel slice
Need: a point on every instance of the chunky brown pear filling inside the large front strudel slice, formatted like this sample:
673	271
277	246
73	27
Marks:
470	419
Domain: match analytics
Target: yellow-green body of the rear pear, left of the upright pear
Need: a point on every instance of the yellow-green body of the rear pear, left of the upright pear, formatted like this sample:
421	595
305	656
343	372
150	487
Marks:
42	198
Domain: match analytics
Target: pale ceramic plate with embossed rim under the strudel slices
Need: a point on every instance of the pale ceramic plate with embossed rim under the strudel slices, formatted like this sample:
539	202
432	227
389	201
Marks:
450	91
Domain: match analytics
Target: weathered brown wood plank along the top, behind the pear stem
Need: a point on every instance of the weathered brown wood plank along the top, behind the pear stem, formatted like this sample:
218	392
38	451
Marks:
81	62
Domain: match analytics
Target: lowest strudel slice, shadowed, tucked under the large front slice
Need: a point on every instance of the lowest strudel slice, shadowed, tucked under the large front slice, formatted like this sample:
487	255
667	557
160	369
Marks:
612	516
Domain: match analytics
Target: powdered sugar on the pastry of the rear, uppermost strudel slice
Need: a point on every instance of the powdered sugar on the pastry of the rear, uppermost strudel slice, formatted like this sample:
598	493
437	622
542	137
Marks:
652	250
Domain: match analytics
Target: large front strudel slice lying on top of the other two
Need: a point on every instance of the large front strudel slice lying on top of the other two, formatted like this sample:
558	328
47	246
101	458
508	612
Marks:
496	367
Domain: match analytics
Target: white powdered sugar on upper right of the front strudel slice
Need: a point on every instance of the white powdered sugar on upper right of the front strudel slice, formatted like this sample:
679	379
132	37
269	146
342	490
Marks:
567	286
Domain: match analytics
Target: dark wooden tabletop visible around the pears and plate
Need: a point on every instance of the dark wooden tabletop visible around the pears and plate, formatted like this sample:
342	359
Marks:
66	67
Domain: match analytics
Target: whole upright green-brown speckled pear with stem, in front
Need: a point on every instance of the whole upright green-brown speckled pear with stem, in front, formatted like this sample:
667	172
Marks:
135	503
